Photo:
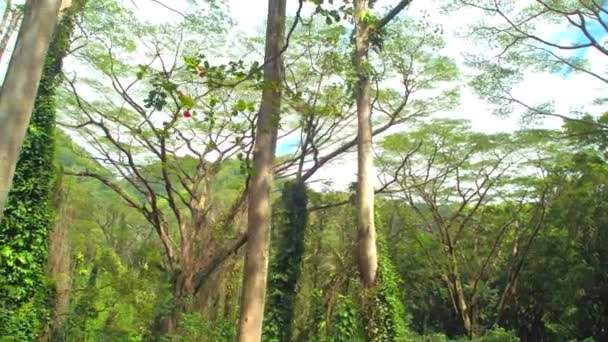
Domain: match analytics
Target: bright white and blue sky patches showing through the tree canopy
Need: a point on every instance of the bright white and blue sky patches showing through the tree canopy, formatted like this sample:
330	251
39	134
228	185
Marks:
567	91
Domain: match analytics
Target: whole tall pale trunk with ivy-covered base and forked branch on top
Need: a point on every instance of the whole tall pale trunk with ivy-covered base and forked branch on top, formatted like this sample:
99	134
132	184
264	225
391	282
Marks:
380	314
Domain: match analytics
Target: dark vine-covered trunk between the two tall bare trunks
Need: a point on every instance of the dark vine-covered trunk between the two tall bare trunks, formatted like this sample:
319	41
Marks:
286	266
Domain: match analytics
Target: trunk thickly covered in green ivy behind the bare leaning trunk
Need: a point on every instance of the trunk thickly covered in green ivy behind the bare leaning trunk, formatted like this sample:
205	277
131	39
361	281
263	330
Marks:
24	295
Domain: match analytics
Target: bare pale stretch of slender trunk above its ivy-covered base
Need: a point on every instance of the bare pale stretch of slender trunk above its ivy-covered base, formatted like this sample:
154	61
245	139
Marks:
367	250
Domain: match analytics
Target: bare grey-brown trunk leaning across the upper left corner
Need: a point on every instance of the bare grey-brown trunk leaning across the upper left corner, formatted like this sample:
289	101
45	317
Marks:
21	84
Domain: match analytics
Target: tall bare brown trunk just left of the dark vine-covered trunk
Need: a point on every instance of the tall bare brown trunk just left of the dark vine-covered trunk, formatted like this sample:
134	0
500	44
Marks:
259	209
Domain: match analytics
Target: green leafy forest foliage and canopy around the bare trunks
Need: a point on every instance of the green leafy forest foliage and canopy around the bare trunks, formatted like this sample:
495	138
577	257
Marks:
482	237
